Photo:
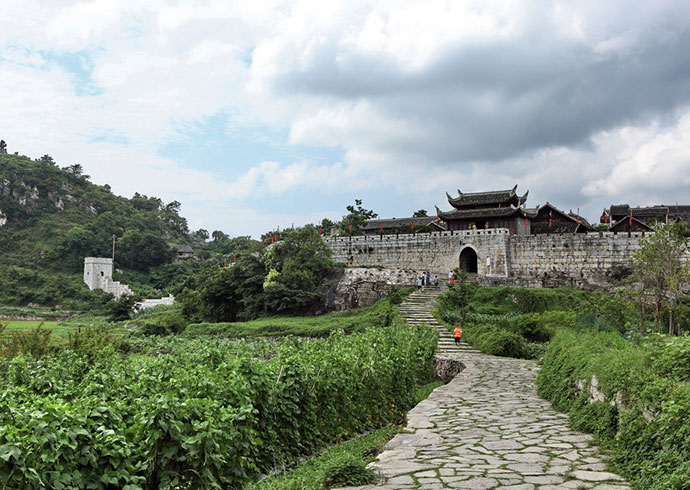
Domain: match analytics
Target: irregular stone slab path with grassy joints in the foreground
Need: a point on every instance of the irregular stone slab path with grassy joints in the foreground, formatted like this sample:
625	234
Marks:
488	429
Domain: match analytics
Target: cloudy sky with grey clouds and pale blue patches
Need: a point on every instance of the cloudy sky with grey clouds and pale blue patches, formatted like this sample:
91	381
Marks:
264	114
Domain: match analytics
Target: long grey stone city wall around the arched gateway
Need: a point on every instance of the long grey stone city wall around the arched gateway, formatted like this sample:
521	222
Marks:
588	261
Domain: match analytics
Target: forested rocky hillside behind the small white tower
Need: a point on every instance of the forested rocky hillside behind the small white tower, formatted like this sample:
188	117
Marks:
52	217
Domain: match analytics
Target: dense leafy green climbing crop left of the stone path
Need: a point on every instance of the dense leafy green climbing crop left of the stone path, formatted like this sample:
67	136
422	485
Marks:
203	416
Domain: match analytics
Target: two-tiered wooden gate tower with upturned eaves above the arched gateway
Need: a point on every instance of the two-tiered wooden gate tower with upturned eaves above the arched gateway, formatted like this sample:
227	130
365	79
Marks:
487	210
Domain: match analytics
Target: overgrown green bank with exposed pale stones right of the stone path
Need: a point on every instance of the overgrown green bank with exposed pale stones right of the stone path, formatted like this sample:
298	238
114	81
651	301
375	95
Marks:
645	417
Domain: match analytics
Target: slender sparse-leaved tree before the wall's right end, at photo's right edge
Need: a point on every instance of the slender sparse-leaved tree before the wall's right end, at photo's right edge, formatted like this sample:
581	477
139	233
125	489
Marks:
659	268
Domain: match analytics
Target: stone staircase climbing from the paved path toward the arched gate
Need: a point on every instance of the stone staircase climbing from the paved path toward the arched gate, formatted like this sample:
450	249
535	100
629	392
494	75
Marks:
417	310
